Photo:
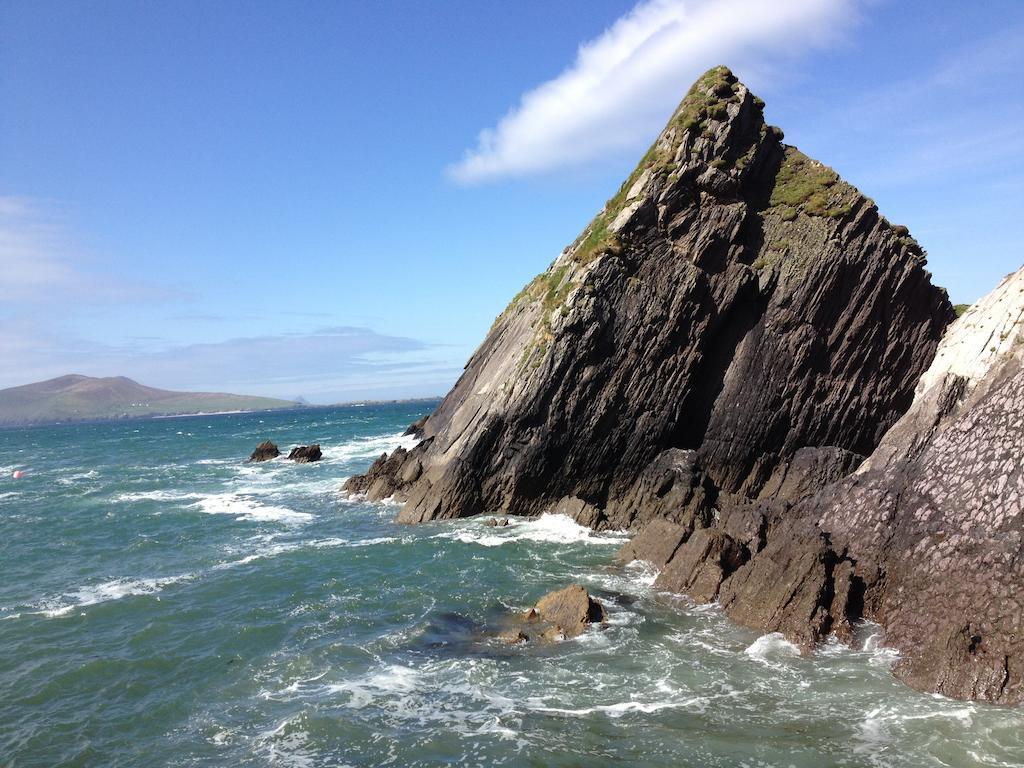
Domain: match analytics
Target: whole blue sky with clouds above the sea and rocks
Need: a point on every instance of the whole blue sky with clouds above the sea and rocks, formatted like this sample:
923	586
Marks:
334	200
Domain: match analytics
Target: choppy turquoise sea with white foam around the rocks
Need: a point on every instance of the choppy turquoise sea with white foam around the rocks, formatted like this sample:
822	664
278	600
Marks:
162	604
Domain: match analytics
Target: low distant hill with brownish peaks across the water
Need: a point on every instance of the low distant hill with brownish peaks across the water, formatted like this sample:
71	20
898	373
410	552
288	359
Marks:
76	398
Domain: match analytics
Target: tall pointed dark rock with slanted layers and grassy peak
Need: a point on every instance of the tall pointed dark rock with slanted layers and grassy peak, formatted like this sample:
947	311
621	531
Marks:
735	304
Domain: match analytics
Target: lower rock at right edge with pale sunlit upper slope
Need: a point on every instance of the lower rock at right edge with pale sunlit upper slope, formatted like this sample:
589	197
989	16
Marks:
927	538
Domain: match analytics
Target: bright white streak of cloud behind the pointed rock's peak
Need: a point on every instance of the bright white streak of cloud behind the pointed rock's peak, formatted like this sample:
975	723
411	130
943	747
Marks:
625	83
